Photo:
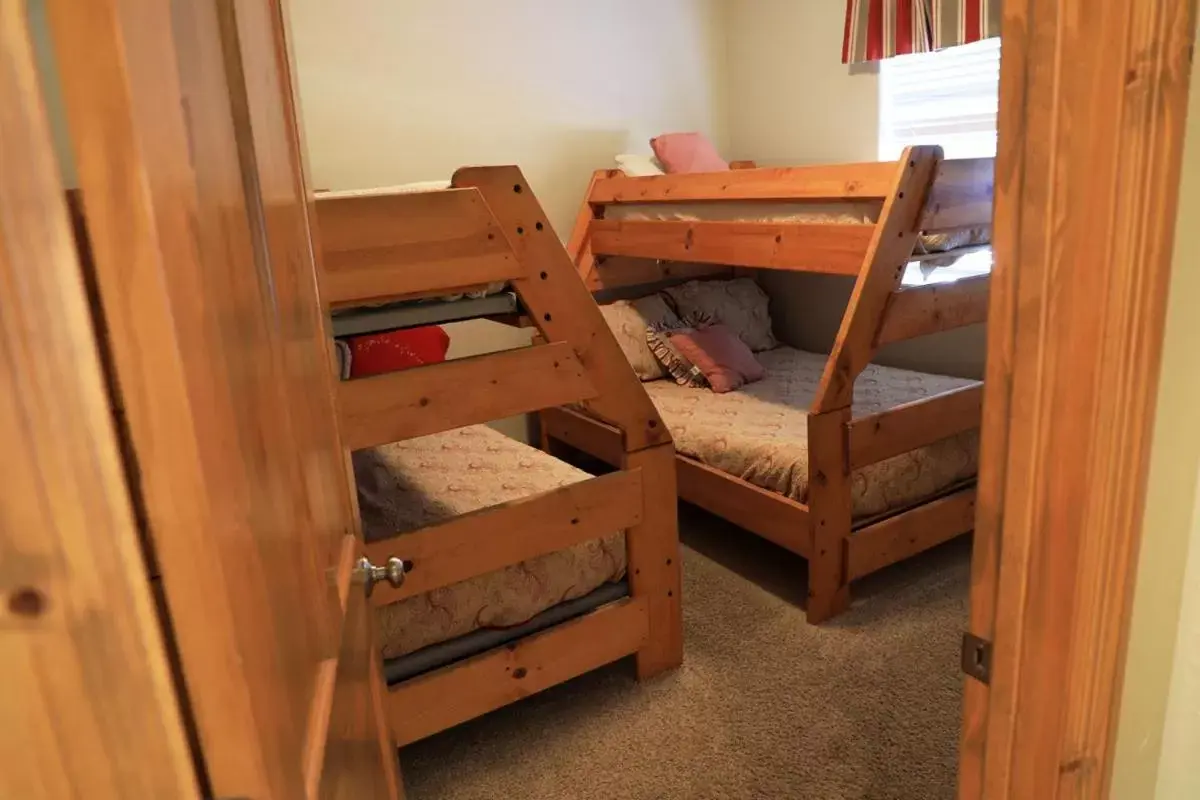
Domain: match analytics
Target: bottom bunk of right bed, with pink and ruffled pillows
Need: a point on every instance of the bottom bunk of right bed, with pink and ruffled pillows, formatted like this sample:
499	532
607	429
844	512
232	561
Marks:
853	490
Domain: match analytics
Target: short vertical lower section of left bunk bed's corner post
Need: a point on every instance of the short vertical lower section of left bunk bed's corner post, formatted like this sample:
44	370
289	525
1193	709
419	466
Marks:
653	556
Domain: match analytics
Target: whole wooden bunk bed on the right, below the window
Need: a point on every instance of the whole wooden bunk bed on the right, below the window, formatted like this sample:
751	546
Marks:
913	234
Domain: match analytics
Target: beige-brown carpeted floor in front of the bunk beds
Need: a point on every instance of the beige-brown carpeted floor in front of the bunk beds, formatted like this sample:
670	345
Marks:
866	707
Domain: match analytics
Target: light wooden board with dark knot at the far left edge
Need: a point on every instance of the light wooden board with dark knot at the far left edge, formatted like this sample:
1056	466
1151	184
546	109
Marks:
88	701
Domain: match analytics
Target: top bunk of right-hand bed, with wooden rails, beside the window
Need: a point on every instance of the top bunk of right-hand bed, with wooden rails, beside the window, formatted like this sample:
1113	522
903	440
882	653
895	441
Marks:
821	219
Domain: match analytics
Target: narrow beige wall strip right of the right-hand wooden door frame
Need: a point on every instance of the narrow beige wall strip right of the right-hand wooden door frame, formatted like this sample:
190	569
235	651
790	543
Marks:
1160	725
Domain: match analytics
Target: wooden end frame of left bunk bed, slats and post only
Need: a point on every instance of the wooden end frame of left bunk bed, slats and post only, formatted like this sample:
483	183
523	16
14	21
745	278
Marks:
488	228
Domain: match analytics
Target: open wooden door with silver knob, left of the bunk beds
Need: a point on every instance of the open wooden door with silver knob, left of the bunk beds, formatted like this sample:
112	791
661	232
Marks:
182	125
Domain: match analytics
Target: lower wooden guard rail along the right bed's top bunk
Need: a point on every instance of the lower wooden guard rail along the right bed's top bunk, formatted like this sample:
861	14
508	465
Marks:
808	248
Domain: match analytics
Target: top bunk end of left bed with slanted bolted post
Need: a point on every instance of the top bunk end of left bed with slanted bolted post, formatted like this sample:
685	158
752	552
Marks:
398	254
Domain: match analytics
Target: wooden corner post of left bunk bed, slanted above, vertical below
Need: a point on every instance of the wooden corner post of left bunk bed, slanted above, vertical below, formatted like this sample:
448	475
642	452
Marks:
563	310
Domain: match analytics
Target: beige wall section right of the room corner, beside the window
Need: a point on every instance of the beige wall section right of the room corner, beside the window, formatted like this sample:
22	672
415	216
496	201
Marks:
794	103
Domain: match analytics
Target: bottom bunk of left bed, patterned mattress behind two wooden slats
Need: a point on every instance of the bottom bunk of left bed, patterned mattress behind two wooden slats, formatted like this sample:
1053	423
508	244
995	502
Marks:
519	574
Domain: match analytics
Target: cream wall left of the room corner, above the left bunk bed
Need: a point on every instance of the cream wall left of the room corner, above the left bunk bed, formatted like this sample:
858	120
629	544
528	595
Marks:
395	92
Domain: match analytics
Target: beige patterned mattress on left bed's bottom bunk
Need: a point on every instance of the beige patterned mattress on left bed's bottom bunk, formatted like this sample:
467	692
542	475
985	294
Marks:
413	484
